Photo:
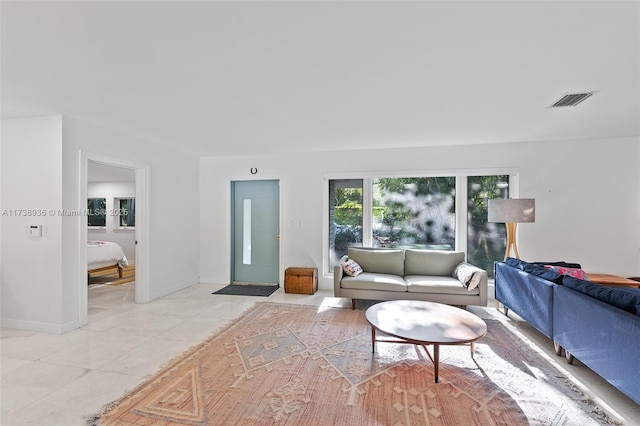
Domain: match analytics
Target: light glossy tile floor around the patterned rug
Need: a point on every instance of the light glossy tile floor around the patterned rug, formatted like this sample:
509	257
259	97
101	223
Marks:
51	380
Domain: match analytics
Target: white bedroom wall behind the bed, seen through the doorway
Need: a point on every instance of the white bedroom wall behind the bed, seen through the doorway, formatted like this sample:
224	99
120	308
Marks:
111	232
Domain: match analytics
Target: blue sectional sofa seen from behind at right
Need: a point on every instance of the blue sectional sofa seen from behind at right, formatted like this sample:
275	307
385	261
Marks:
598	325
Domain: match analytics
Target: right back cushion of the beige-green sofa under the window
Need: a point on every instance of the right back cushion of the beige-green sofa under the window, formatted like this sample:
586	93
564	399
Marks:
432	262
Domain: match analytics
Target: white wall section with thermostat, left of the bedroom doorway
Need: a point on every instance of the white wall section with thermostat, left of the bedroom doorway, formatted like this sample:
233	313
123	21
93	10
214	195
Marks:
31	283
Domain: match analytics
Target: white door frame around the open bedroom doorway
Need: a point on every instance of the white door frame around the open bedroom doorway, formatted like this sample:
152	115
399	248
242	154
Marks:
141	228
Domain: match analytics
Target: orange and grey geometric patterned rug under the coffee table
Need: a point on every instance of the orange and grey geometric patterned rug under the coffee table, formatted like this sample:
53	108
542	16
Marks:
284	364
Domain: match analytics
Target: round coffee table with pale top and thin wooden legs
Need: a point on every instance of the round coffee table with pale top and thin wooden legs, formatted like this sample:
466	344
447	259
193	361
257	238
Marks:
425	323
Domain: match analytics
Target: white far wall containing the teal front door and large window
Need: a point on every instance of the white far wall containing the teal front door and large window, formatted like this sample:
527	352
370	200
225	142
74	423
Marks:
587	198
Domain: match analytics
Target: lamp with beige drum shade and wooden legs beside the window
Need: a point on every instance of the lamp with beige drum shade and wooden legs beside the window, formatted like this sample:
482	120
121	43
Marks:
512	211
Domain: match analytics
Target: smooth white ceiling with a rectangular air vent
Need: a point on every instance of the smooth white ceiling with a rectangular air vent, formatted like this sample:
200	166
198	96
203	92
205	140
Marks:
236	78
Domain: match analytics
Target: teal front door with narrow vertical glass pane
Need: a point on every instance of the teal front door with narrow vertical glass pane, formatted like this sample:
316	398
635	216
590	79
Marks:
255	236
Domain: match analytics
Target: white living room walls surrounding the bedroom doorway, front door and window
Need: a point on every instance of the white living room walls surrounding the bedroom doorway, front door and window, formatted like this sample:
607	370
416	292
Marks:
587	199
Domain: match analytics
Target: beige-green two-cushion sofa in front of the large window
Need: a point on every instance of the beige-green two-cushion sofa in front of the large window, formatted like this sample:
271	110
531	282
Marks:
410	274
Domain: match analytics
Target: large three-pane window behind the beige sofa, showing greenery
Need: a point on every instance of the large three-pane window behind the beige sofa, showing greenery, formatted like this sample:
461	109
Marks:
434	212
